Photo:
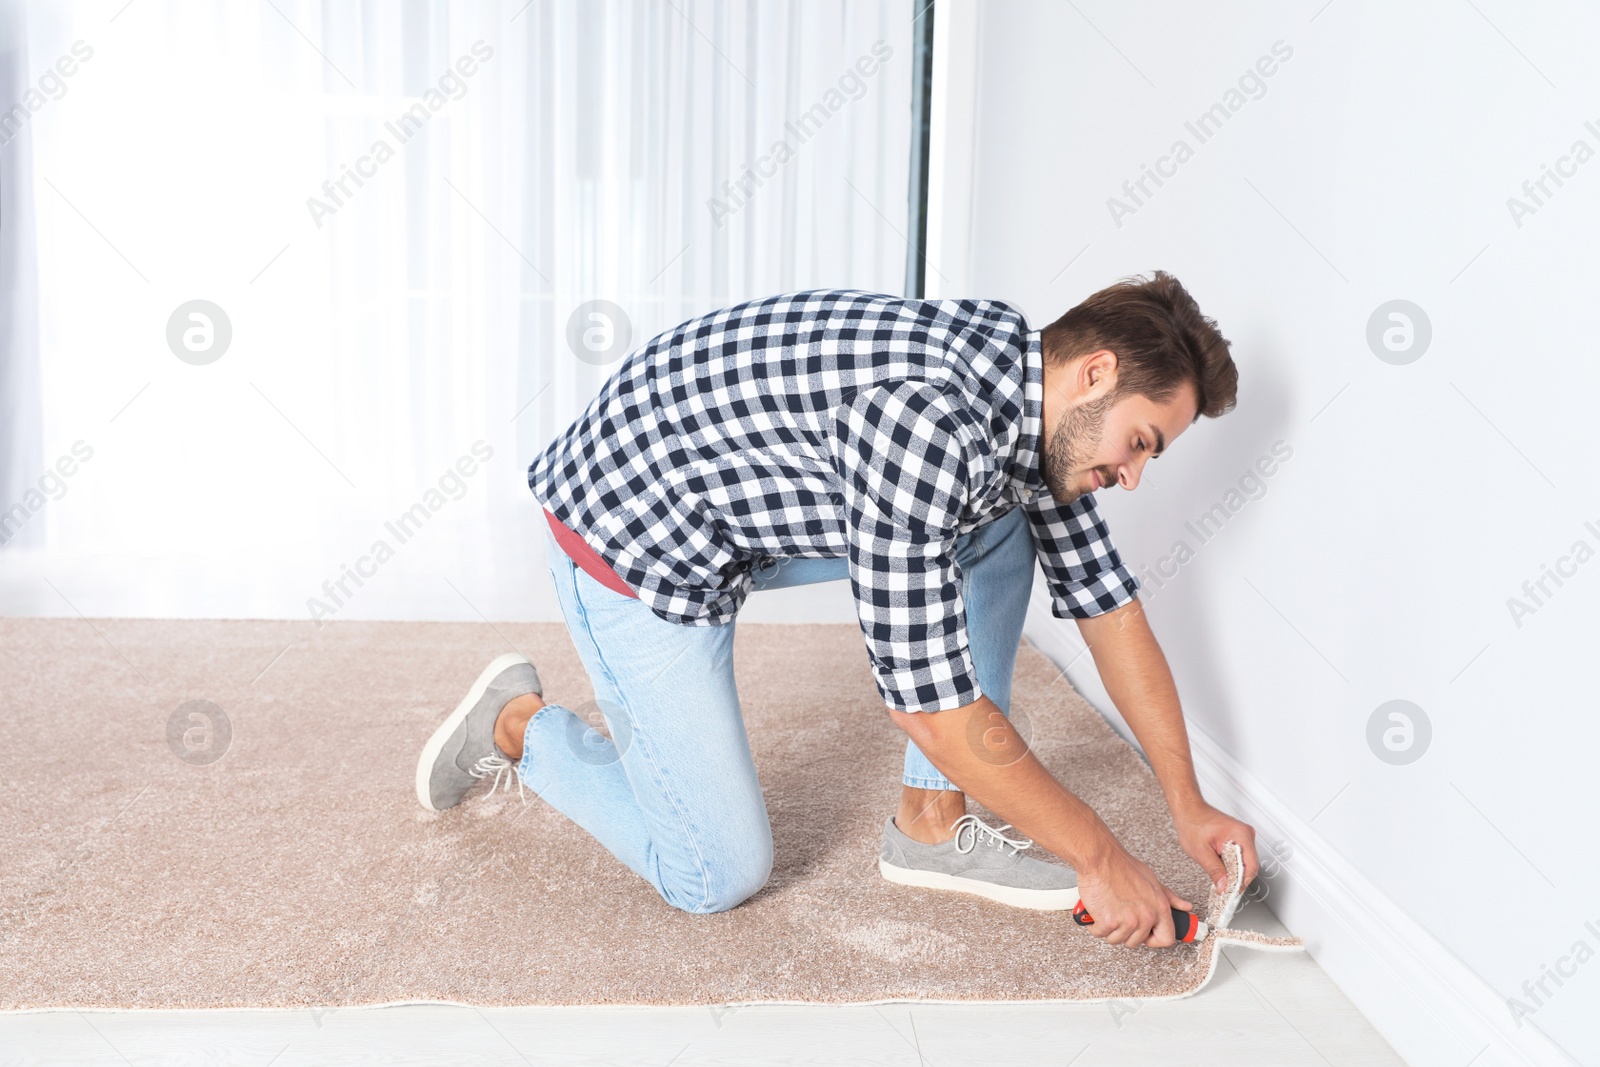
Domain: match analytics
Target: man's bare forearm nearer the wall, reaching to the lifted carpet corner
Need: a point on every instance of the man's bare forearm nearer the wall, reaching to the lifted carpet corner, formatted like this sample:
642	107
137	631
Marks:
1138	681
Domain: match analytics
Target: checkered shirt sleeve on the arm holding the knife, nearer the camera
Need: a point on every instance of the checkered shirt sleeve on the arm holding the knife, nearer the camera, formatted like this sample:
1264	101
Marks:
903	455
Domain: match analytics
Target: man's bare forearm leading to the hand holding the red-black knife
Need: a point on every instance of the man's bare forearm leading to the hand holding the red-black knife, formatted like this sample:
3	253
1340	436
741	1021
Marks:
980	751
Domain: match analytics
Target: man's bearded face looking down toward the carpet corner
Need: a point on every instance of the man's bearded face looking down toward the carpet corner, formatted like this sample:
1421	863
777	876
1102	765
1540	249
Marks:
1103	442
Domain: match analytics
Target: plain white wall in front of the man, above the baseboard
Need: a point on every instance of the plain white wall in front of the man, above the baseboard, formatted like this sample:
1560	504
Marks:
1375	564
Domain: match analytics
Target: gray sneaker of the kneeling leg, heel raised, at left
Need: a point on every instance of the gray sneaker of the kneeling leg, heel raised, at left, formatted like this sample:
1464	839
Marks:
463	751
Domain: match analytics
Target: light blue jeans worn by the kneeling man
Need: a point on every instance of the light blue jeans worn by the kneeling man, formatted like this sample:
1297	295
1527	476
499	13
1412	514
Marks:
673	793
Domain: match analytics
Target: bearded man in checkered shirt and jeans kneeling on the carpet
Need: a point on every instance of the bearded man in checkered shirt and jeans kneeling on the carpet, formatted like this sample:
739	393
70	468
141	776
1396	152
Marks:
927	452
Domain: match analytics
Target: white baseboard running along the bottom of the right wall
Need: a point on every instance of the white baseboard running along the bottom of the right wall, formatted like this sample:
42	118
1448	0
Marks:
1418	994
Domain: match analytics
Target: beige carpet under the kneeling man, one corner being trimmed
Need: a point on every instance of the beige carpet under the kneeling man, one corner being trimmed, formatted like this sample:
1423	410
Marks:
300	871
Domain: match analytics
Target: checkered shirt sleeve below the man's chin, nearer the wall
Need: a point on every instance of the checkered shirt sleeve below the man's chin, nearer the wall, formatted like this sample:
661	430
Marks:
1082	569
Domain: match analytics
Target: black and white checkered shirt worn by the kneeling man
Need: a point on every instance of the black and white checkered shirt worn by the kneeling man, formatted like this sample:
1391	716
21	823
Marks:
825	425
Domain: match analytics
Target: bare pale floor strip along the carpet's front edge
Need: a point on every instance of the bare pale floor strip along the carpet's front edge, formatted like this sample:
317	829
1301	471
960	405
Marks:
1262	1009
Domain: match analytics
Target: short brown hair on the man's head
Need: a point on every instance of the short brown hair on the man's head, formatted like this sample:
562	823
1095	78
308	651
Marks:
1161	340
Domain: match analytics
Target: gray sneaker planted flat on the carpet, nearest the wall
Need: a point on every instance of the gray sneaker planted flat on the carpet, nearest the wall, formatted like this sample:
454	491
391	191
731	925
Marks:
983	861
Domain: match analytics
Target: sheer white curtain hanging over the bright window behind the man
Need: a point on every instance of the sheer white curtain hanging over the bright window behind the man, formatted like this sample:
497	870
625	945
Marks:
428	233
